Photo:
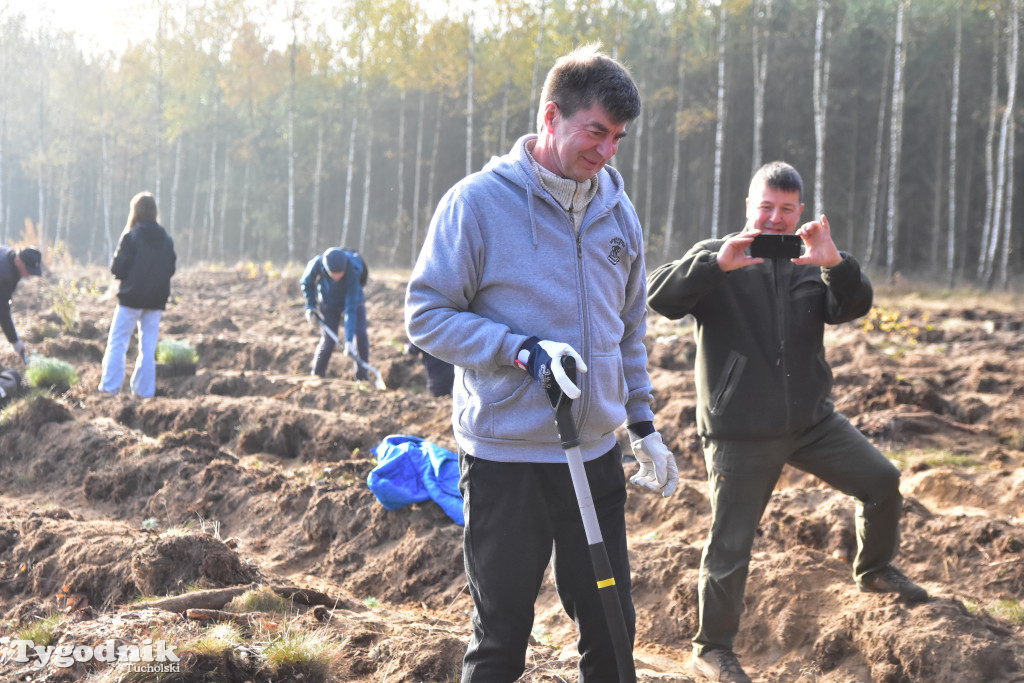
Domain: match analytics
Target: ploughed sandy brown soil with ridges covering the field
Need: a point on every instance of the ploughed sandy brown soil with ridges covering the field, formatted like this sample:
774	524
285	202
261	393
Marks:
250	472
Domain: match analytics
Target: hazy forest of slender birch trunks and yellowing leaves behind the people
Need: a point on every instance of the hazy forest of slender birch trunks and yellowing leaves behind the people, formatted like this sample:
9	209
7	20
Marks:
902	117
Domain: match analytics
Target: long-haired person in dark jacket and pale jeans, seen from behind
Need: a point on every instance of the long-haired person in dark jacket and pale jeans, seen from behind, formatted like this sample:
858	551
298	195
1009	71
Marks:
144	263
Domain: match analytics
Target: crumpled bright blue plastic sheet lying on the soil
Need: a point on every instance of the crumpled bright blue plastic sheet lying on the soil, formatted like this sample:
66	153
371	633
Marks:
412	471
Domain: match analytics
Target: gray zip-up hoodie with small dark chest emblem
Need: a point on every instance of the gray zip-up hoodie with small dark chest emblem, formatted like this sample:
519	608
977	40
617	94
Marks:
502	263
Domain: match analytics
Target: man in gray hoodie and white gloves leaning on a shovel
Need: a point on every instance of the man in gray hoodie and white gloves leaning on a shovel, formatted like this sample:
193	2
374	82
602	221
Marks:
535	259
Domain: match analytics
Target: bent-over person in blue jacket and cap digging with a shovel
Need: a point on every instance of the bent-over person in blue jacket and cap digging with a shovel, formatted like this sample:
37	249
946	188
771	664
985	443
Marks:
332	284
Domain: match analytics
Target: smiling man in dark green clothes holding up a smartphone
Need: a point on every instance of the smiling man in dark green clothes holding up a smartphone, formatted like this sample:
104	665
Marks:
763	400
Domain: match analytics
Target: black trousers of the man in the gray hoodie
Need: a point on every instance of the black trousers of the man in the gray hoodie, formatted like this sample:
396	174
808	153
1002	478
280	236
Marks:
518	515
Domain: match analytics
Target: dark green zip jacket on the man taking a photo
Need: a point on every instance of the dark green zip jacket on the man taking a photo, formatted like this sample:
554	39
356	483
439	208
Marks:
761	368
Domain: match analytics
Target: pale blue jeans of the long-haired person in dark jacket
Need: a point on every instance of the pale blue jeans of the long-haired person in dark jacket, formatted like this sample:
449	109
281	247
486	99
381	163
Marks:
144	377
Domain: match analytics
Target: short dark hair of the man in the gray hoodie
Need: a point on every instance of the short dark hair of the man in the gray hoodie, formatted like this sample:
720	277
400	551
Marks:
586	76
